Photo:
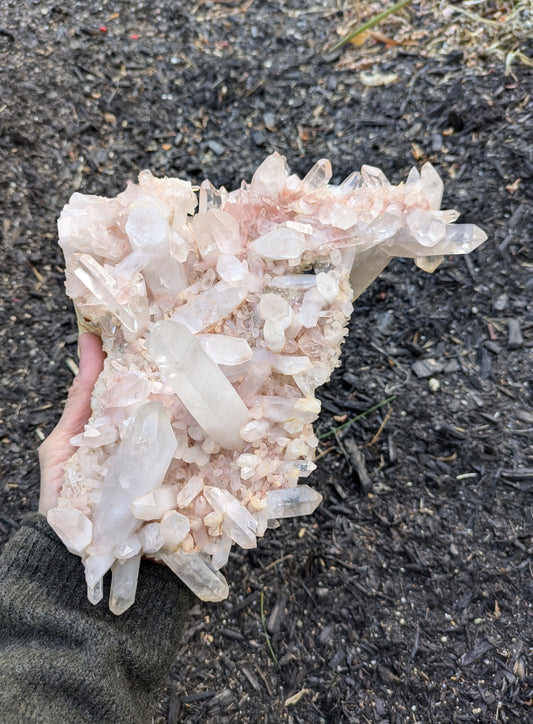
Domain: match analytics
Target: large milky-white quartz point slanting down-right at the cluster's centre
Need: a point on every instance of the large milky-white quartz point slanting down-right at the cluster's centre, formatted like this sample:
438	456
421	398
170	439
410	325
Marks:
199	382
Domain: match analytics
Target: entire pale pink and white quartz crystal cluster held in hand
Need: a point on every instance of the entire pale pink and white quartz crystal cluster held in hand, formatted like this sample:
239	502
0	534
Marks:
219	322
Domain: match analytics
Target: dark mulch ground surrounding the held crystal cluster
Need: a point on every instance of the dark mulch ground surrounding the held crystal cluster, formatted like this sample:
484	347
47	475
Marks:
403	599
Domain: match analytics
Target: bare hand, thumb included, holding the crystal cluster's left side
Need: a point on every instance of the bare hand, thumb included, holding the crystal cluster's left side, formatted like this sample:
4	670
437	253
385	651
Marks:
56	449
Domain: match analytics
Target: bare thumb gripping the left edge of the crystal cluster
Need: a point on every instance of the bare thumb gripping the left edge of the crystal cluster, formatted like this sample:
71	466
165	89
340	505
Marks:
78	406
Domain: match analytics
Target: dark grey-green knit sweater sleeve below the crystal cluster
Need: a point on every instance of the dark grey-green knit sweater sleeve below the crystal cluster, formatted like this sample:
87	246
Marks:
64	660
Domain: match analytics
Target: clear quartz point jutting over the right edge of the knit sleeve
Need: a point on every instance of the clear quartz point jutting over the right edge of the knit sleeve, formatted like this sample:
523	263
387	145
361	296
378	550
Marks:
198	575
